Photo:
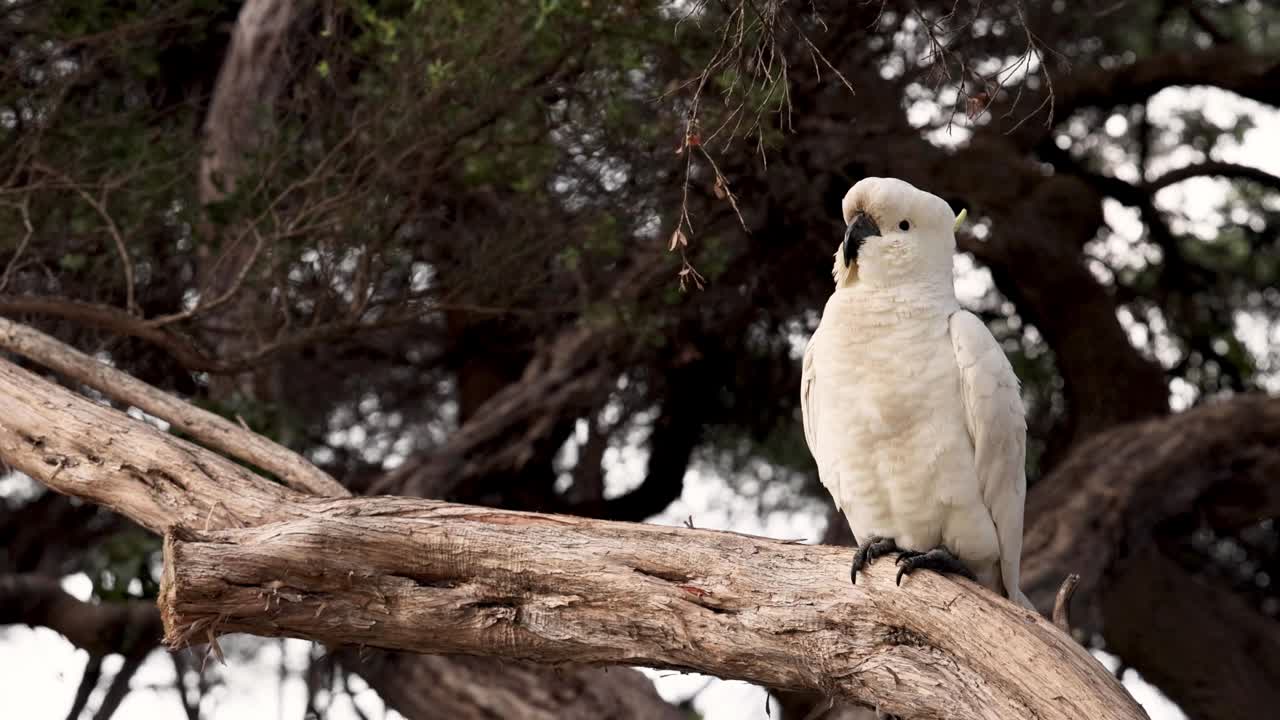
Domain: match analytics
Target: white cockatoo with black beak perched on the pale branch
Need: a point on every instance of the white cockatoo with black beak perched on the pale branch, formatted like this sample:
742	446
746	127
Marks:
911	408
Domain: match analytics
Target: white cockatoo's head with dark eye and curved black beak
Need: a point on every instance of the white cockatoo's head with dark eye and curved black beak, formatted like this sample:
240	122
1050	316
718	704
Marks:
895	234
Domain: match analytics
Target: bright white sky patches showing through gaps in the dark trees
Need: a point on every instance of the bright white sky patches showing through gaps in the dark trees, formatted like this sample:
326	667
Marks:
40	671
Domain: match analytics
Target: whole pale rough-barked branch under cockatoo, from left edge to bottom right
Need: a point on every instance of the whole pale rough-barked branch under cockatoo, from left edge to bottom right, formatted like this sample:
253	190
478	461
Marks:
737	607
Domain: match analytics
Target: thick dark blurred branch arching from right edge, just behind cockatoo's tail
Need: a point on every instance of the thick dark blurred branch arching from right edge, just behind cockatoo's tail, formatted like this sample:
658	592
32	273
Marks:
1112	494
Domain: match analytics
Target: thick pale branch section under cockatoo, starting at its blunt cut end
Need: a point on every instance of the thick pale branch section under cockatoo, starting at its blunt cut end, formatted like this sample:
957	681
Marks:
432	577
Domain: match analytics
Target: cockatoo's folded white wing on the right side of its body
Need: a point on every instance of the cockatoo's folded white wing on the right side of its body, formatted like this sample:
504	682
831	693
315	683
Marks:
998	427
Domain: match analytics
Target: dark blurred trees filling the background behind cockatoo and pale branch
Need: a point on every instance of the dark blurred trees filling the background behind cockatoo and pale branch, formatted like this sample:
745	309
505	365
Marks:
565	256
